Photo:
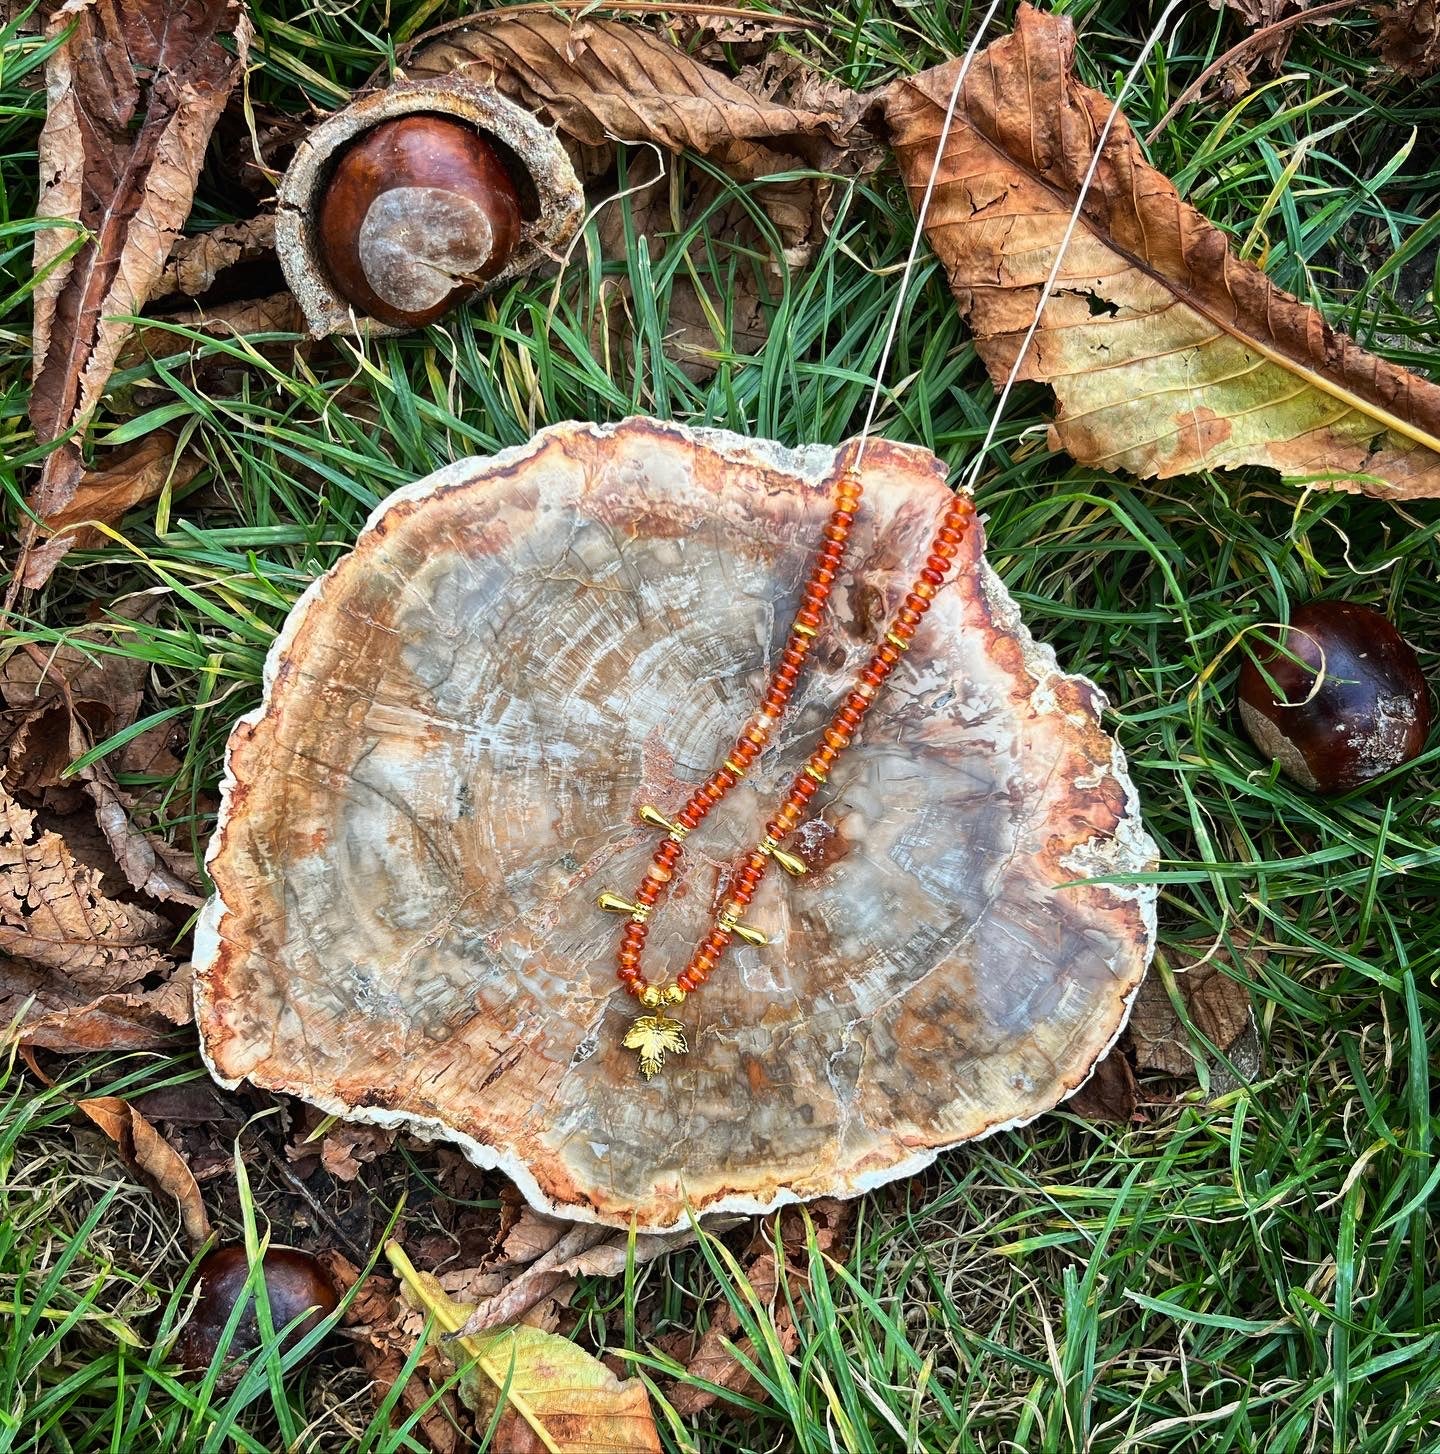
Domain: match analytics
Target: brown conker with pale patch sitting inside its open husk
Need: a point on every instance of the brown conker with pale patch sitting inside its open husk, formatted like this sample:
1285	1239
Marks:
417	214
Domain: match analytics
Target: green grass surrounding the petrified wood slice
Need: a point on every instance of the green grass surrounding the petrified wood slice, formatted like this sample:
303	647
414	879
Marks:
1256	1266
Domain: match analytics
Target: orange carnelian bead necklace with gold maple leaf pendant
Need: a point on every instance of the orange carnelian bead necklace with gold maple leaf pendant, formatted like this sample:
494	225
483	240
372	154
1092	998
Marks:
655	1036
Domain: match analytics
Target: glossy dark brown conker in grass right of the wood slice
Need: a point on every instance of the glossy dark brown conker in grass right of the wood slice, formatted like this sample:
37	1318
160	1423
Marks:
1368	715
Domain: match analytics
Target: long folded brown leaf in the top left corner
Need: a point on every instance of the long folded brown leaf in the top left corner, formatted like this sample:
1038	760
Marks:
136	88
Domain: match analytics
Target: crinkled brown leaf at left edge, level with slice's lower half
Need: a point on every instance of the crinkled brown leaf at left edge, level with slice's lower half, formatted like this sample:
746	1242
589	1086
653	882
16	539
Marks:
55	914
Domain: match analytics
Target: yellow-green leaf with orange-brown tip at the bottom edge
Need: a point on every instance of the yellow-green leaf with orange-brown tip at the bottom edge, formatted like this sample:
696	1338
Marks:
556	1397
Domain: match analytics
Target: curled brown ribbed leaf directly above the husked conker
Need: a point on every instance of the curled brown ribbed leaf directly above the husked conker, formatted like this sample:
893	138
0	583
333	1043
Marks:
604	82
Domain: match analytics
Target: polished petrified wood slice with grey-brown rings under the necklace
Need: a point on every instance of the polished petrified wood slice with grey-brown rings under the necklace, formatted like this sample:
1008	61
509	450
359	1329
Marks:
460	725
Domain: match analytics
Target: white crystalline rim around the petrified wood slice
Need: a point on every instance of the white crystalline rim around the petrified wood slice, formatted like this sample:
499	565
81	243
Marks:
1134	848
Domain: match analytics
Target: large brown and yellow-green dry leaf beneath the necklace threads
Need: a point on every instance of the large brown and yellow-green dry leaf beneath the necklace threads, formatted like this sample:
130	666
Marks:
1166	353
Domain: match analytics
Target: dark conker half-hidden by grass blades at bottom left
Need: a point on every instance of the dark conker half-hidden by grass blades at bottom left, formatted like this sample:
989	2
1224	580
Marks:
295	1283
